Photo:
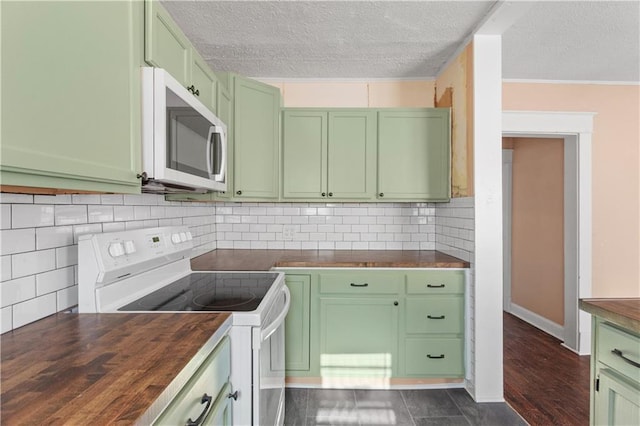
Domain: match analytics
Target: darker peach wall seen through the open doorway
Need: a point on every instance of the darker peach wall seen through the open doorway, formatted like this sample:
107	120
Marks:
537	239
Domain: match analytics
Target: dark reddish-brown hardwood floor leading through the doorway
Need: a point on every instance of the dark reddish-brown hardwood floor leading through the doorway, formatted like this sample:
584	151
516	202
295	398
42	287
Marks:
544	382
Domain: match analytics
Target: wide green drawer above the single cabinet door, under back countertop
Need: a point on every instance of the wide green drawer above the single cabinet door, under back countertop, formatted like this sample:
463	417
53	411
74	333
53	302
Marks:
361	283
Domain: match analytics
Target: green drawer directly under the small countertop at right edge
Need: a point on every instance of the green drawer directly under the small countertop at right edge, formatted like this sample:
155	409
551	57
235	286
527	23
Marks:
627	345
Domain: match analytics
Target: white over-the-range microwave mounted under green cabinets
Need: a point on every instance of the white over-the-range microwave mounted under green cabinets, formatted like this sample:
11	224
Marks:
184	145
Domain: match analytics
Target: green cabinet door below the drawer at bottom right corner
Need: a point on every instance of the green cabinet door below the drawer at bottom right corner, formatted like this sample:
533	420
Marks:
617	402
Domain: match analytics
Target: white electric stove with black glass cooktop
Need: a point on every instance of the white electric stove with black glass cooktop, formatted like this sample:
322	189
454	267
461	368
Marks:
148	270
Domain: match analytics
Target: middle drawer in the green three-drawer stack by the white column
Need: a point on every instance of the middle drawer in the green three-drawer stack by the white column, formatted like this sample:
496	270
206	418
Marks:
435	315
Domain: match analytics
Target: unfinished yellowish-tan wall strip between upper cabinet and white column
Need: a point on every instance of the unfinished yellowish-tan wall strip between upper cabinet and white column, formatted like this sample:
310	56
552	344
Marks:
457	78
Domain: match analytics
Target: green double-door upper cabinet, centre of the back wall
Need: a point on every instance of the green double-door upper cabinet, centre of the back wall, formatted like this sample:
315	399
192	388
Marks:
329	154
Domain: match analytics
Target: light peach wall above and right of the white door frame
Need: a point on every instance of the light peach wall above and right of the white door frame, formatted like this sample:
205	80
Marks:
616	172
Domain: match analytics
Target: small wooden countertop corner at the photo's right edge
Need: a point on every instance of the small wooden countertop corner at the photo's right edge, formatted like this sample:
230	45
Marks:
623	312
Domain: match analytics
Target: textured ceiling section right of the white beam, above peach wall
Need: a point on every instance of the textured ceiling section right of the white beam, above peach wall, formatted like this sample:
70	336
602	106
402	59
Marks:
584	40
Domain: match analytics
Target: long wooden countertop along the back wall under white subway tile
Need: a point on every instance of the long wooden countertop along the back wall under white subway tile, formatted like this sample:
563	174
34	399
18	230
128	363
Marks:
263	260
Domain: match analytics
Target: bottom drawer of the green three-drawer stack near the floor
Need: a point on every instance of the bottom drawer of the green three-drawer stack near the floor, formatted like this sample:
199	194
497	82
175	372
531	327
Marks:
439	357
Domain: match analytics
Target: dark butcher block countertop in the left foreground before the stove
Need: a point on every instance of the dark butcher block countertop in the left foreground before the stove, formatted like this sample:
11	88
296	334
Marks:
98	369
